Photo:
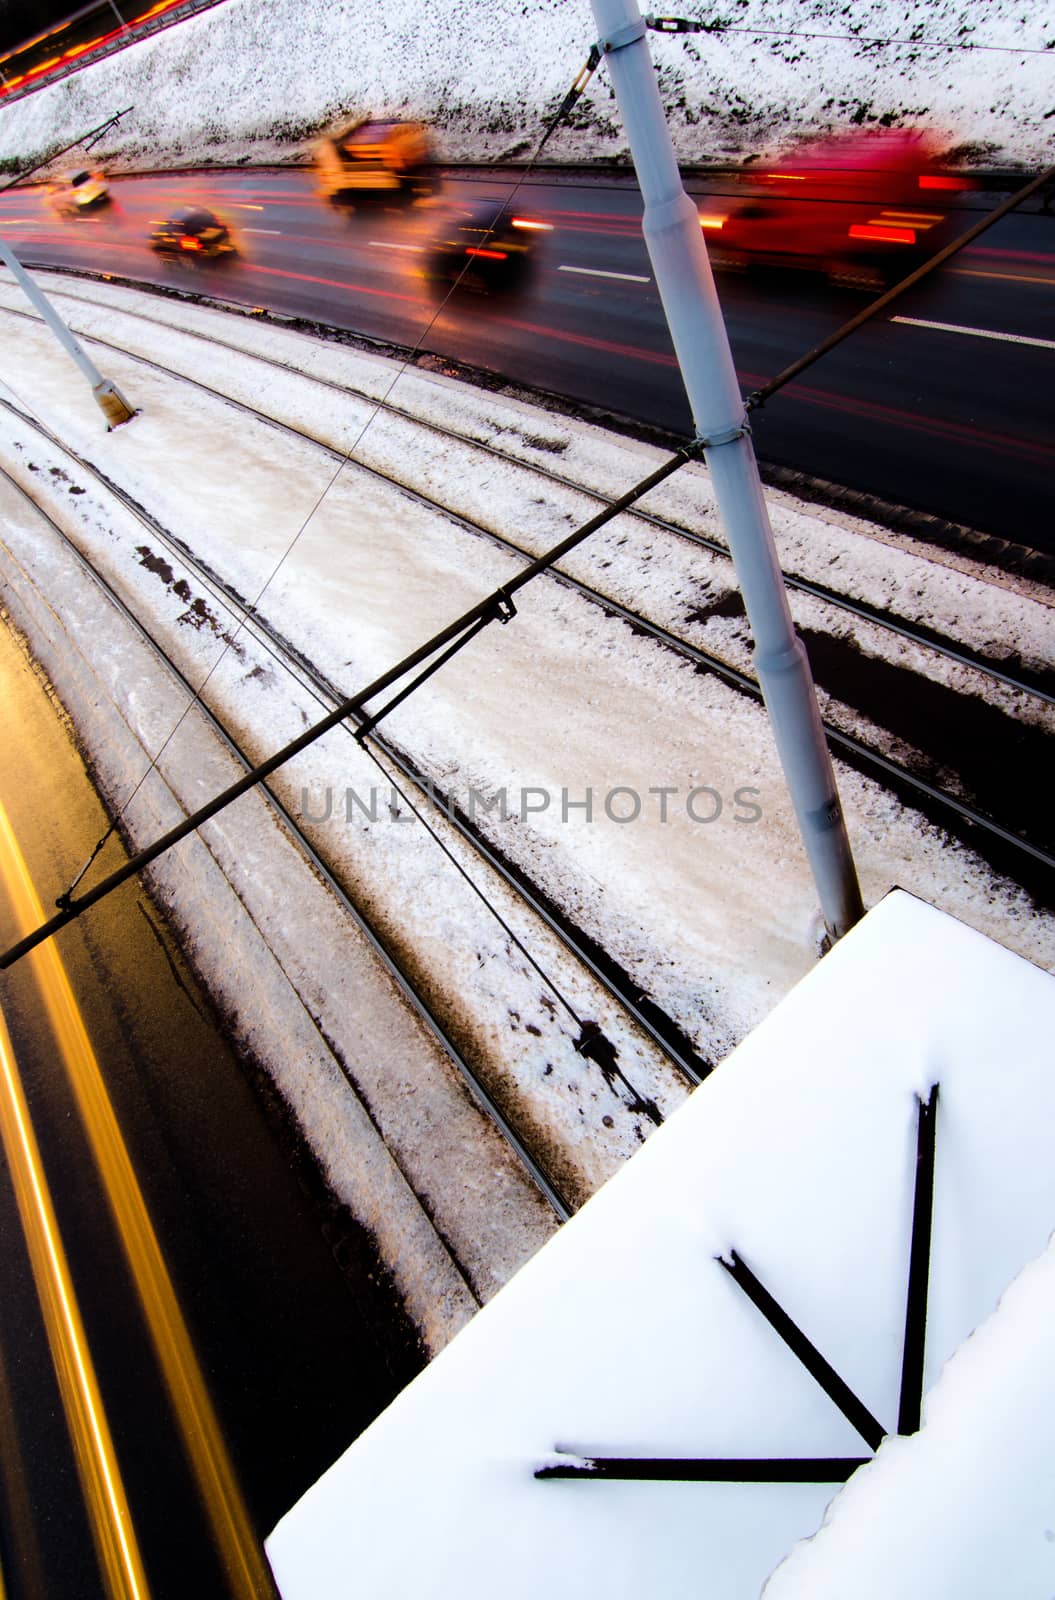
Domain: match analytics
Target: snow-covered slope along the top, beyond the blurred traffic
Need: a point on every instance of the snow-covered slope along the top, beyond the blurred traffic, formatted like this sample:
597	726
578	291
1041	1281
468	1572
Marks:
259	82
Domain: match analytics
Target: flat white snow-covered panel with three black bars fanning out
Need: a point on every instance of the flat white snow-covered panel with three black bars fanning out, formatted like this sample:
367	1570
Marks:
740	1292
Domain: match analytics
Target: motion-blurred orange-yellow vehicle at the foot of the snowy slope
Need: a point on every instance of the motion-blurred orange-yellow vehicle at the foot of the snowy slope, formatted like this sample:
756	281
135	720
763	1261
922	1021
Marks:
375	161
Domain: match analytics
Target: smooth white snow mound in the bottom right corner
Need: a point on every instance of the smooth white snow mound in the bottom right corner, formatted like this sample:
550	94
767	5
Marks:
963	1508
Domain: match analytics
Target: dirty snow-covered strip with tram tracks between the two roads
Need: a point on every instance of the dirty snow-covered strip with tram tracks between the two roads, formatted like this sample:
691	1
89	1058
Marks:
716	921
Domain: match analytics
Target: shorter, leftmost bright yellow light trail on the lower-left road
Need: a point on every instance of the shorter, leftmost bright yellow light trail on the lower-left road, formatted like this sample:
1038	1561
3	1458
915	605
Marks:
94	1447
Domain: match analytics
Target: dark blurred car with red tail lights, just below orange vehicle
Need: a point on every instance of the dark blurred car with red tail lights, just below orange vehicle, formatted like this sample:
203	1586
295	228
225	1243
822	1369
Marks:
486	247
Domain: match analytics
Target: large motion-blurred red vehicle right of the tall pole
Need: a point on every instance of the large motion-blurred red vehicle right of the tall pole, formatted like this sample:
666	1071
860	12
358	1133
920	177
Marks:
862	209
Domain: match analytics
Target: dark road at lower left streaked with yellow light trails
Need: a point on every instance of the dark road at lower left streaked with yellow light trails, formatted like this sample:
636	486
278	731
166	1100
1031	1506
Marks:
299	1342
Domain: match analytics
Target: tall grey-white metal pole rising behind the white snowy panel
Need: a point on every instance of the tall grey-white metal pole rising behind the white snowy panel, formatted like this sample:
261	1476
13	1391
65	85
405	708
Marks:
680	260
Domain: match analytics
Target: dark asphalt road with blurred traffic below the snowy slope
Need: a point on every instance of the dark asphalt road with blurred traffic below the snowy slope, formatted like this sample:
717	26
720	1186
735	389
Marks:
957	420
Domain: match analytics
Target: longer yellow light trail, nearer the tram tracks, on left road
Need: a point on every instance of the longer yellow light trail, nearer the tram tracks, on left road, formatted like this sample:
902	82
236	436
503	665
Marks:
247	1569
